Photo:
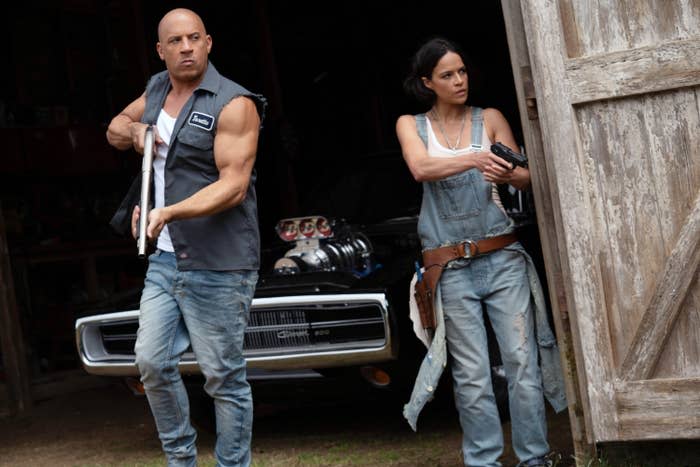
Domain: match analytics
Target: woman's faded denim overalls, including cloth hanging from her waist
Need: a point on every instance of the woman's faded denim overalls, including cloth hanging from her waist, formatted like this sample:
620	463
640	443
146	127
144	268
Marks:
459	208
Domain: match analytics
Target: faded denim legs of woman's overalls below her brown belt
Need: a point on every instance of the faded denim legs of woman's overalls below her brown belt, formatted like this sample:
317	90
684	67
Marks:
499	282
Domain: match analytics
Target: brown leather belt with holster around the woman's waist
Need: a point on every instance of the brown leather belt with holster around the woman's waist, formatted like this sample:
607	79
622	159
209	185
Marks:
435	260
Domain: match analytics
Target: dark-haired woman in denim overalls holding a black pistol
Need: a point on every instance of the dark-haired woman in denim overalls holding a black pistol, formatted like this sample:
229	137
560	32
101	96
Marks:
472	254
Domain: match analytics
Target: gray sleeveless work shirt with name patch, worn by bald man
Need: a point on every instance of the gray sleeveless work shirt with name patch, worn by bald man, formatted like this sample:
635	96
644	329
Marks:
225	241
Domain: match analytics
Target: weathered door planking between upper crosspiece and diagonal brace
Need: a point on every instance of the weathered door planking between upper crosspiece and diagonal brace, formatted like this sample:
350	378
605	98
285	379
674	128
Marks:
643	166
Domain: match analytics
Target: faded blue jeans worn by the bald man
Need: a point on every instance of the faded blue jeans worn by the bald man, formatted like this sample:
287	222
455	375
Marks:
208	310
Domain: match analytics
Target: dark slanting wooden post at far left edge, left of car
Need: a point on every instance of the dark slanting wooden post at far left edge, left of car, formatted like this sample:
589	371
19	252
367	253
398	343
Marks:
11	343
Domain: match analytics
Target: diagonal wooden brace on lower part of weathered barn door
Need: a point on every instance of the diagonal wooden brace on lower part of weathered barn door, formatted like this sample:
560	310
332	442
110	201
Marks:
662	311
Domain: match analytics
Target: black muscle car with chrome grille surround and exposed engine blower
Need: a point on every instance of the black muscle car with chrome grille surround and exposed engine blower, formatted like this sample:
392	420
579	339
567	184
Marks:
333	291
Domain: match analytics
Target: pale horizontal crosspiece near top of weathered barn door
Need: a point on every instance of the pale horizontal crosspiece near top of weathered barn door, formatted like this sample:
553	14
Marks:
665	66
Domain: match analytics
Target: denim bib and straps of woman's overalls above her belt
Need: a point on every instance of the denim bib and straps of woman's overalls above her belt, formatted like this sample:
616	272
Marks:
459	207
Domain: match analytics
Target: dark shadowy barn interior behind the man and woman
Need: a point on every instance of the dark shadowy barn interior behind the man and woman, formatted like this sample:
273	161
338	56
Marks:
332	74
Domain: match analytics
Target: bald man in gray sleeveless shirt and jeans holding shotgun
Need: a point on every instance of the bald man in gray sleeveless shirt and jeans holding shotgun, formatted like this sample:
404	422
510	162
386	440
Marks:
201	277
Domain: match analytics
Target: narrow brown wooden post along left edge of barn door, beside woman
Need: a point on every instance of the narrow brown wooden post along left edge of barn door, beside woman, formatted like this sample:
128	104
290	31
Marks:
543	194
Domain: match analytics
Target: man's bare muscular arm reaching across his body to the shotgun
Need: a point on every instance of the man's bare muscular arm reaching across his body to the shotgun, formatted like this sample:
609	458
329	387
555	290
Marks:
235	148
